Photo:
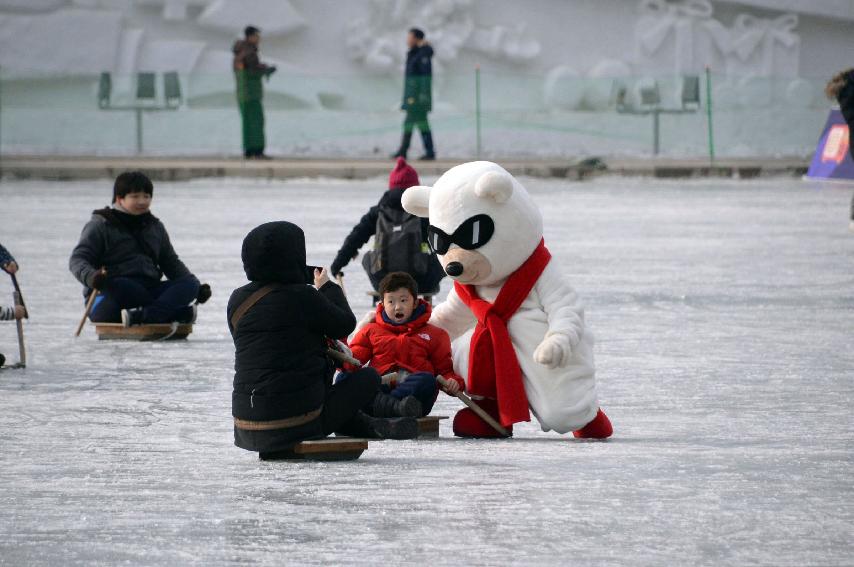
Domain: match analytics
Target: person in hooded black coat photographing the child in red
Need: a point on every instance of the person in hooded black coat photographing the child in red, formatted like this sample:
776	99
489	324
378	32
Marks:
283	390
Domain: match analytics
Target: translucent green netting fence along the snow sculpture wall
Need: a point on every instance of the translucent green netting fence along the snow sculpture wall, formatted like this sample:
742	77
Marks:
475	113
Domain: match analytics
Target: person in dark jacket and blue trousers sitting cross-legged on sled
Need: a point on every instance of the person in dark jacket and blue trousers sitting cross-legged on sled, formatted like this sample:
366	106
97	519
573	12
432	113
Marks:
124	252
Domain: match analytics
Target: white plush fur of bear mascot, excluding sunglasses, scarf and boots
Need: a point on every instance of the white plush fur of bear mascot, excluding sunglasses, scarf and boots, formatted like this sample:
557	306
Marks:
553	347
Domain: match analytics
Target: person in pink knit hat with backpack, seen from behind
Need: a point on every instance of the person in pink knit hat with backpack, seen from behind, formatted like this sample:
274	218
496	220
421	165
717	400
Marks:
400	239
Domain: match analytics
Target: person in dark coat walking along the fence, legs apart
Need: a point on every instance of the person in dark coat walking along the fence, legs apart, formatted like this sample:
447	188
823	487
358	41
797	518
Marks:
417	94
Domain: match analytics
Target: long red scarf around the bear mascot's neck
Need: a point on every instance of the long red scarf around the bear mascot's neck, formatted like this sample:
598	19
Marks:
493	369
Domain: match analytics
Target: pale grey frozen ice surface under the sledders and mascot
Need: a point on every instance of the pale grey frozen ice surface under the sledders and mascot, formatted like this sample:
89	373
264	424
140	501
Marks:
724	315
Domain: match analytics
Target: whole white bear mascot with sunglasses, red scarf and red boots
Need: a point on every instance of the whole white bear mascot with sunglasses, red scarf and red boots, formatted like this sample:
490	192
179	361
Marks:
518	330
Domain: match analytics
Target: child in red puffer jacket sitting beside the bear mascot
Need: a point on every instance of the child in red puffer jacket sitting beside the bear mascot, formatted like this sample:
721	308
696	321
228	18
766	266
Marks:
401	340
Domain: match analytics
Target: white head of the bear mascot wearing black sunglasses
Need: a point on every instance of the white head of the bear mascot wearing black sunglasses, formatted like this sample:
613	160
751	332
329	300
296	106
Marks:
483	223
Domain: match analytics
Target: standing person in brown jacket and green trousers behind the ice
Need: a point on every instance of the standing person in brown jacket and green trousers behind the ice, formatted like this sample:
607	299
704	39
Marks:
248	72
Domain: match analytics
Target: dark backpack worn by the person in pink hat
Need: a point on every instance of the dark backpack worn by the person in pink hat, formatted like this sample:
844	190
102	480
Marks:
399	244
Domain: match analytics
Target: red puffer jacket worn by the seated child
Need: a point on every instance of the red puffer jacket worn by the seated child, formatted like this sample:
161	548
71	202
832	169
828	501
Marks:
415	346
